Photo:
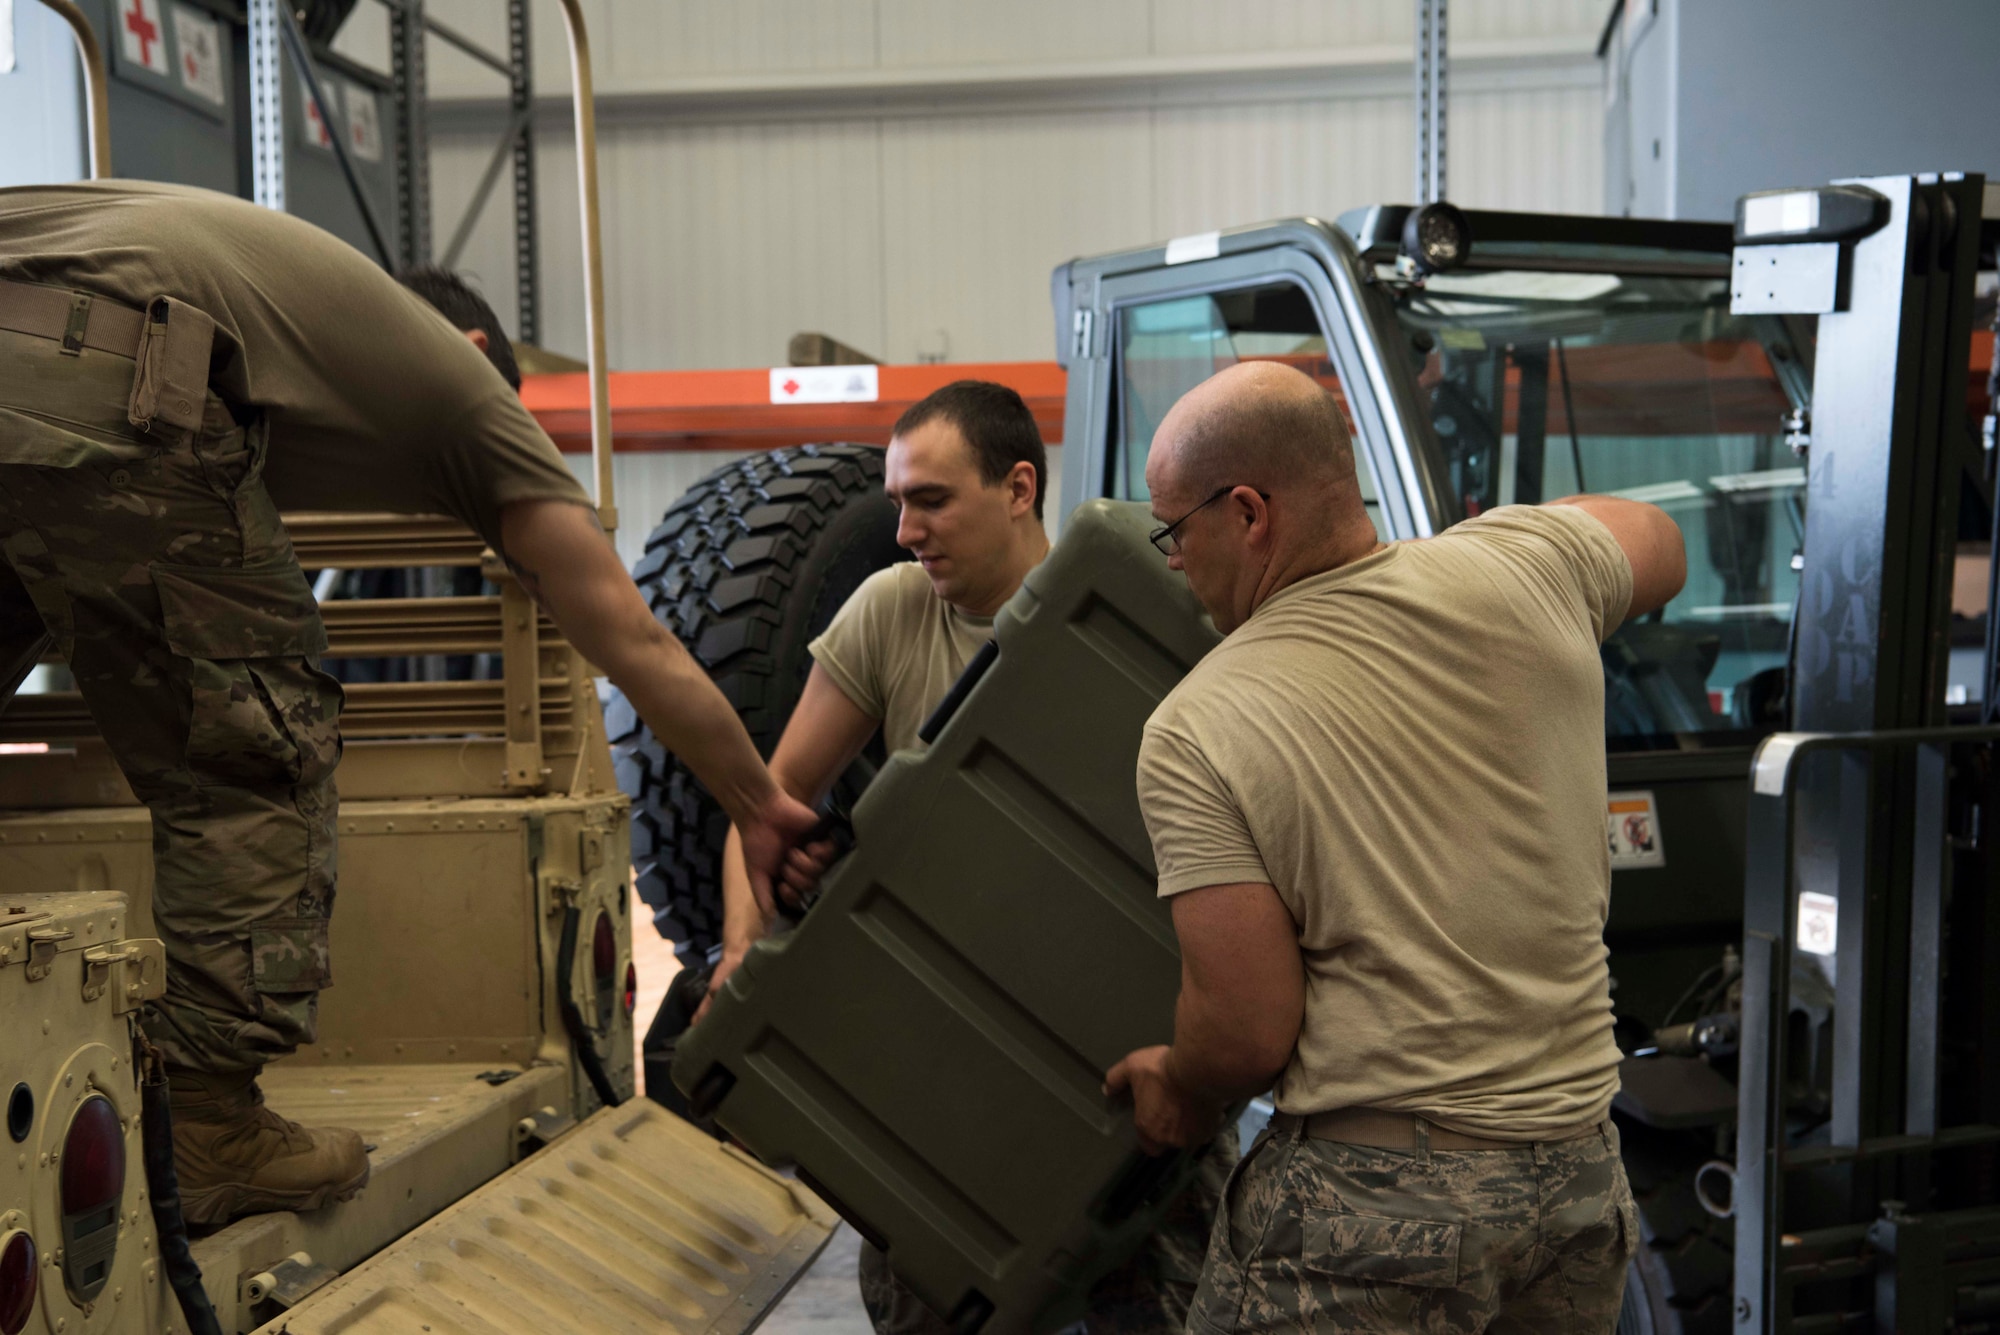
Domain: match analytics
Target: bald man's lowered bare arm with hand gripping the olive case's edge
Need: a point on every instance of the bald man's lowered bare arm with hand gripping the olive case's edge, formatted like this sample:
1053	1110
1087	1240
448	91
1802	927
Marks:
1243	1000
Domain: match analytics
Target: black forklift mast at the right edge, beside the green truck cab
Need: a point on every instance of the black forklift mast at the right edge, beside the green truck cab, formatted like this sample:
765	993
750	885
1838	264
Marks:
1869	1204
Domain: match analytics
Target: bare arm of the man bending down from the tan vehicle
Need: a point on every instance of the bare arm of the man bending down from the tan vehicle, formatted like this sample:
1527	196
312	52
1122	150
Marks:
569	567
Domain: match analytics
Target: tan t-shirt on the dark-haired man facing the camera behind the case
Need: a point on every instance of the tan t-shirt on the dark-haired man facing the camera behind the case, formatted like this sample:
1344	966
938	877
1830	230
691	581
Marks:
895	651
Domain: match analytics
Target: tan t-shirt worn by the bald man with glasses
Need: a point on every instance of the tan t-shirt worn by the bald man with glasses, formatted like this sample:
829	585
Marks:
1411	750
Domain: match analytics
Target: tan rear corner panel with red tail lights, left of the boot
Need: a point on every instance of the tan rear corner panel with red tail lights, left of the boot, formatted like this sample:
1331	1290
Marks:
73	1180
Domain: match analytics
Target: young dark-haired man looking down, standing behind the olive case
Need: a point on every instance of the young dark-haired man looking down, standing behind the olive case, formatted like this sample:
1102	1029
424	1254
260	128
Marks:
967	471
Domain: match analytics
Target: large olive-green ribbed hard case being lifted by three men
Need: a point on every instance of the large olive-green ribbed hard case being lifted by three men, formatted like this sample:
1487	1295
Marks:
931	1044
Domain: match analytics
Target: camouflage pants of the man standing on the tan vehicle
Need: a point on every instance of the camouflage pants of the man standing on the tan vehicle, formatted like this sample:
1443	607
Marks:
159	567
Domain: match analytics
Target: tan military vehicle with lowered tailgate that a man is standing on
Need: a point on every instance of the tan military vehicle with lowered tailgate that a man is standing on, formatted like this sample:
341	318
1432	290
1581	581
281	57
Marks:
479	1036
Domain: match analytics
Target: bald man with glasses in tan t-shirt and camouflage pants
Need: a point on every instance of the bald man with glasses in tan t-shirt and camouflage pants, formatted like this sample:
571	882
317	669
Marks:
1379	812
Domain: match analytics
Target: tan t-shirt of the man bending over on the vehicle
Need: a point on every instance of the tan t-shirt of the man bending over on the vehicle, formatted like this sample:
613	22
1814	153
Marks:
375	401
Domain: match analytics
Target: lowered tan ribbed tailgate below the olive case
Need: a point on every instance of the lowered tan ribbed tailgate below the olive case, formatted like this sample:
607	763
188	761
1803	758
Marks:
635	1222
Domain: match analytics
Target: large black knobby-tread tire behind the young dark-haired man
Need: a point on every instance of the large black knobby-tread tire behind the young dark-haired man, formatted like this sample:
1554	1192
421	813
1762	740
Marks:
745	569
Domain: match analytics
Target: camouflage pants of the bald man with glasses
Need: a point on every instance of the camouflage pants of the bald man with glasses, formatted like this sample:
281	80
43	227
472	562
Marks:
1323	1236
